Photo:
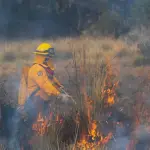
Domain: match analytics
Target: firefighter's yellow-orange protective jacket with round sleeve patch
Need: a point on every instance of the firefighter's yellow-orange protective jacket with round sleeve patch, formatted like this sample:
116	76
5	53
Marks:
38	77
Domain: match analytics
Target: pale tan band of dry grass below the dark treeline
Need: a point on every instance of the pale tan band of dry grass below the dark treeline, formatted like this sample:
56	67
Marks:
16	53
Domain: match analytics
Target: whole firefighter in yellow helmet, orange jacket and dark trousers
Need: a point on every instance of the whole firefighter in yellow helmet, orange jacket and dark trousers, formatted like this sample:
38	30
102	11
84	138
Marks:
41	85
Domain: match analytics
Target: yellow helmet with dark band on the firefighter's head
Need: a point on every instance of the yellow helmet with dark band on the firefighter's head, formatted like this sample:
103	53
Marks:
45	49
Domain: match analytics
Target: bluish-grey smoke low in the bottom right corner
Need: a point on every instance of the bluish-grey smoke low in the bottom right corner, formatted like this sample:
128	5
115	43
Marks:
124	132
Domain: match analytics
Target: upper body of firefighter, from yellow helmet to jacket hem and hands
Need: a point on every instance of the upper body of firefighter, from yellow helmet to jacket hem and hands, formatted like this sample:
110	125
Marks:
41	78
